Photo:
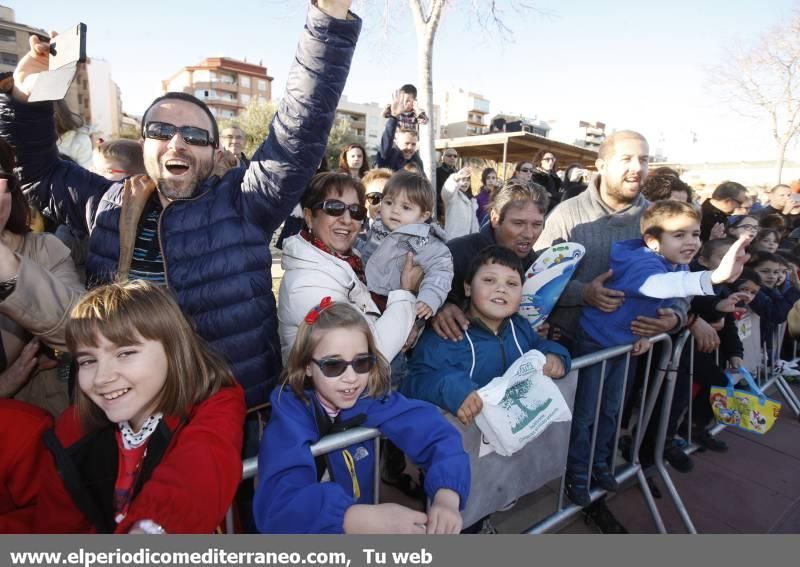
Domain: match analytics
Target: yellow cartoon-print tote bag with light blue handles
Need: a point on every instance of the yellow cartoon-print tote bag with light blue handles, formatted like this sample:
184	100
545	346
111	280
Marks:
749	410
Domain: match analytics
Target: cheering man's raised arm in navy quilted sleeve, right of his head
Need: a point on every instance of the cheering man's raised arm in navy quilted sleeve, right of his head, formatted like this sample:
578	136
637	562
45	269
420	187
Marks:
285	162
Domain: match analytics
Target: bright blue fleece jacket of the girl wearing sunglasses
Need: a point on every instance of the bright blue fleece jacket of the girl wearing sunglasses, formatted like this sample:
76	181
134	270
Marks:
290	499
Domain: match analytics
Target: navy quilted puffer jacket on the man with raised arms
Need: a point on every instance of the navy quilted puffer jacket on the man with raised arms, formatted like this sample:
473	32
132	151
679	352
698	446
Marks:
215	245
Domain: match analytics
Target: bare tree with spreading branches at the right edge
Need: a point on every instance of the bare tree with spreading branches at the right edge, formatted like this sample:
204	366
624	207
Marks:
764	82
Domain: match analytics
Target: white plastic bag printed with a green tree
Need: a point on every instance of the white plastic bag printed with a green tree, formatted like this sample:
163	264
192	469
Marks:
519	405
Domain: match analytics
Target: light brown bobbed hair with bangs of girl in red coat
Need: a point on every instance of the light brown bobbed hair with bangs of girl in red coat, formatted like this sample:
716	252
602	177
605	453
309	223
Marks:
126	312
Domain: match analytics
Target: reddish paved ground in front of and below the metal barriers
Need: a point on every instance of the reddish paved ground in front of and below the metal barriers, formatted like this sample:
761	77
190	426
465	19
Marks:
754	488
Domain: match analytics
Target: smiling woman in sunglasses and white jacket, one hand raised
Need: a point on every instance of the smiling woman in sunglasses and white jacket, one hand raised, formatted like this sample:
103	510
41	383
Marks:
320	262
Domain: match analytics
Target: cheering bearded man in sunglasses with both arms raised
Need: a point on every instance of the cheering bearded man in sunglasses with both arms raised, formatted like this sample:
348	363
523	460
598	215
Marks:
205	237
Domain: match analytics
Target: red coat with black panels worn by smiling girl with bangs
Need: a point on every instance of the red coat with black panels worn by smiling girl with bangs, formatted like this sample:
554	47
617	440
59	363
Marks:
190	474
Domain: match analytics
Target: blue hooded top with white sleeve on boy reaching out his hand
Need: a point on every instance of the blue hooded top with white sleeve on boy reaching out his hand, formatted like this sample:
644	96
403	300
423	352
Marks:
633	264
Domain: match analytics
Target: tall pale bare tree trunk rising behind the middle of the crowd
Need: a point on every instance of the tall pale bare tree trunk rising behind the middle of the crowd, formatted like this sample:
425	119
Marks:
489	14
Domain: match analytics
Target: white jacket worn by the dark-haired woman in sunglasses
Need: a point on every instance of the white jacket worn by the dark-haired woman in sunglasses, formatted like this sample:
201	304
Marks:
311	274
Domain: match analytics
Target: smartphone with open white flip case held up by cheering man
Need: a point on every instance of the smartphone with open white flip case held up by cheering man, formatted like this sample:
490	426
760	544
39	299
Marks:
67	49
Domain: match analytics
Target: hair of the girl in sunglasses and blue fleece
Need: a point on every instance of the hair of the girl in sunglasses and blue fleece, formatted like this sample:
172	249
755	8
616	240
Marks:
336	316
